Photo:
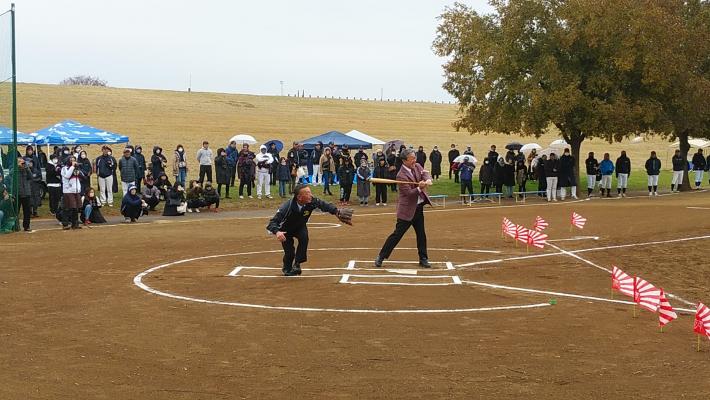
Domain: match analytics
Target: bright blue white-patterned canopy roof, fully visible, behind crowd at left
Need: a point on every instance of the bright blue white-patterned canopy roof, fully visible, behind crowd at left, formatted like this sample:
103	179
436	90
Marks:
72	132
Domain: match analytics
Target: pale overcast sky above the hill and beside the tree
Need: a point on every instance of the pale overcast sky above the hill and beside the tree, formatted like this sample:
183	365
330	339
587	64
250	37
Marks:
333	48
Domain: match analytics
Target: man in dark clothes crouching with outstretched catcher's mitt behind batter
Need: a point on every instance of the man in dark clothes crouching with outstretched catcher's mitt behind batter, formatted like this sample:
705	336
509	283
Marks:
290	221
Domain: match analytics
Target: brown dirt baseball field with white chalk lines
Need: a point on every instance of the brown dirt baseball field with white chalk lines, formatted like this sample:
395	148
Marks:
74	324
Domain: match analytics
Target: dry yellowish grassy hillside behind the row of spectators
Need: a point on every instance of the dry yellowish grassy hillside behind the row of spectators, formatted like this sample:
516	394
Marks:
167	118
